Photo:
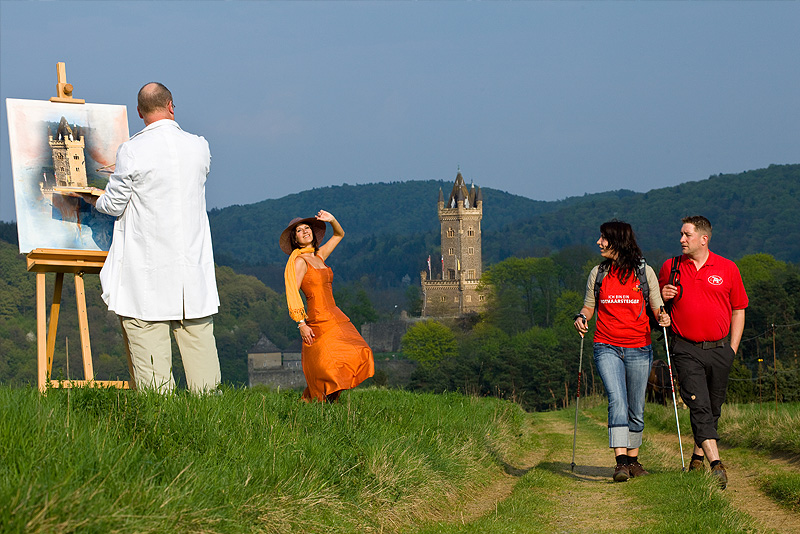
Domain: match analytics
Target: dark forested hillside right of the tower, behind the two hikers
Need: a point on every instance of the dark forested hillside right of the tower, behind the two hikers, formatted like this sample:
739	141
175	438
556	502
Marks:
754	211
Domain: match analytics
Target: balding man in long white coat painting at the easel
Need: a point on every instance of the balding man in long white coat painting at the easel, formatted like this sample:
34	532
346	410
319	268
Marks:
159	274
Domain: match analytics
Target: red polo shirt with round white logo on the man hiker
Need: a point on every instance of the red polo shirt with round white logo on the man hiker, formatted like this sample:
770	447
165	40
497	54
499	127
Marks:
703	311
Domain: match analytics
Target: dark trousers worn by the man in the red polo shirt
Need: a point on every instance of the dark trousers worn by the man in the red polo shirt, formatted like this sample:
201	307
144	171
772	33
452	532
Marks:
703	378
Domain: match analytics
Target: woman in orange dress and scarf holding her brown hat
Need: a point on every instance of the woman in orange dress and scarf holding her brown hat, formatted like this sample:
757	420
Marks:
335	356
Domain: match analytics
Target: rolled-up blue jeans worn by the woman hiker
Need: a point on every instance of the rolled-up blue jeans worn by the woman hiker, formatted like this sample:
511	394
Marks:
624	372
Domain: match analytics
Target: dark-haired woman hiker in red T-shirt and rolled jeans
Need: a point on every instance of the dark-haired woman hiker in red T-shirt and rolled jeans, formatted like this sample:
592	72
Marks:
622	348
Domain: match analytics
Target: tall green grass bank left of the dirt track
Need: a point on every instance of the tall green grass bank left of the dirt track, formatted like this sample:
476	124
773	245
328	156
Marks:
95	460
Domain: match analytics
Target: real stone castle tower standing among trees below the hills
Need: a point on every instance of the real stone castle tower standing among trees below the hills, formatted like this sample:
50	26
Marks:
455	293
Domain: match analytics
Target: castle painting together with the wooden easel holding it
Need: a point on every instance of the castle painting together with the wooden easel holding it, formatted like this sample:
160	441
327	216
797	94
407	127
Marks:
60	149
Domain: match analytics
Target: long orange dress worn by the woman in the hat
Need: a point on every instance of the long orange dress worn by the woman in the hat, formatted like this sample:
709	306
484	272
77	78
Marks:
338	357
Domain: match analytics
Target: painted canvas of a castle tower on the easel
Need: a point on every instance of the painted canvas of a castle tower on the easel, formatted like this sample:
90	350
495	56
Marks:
56	147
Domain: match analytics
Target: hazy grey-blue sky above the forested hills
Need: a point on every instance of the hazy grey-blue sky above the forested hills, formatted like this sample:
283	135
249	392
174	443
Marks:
541	99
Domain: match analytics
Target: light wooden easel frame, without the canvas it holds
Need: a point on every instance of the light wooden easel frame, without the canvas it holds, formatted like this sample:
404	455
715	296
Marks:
78	262
